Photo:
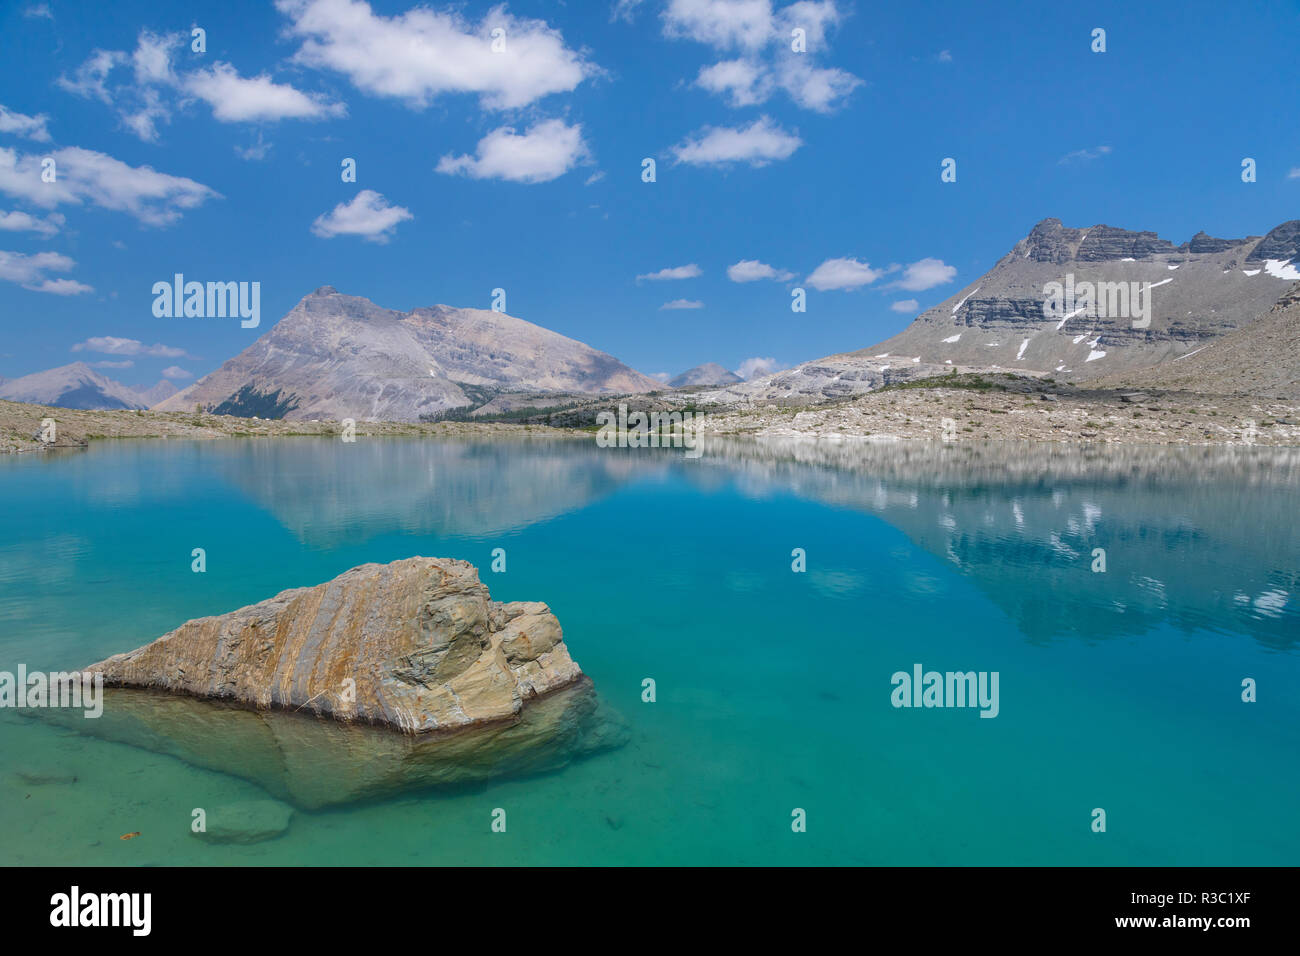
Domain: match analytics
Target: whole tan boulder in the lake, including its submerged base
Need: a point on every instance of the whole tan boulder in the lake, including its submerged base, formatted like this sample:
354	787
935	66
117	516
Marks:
387	678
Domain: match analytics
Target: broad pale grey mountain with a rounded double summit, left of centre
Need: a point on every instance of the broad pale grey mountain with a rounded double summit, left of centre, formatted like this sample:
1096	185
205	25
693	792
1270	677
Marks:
337	357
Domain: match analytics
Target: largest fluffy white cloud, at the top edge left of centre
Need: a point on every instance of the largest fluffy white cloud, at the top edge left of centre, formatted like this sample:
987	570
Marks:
423	54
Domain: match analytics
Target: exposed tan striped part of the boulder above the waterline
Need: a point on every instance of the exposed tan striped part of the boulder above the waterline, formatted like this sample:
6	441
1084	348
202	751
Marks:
417	646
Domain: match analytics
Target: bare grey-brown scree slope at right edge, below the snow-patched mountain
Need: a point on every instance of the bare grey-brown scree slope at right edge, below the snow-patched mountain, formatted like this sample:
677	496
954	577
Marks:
1260	360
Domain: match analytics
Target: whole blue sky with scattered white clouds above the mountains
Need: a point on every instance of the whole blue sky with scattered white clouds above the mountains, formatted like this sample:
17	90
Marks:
523	170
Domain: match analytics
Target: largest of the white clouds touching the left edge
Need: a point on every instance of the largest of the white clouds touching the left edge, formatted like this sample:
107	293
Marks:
85	176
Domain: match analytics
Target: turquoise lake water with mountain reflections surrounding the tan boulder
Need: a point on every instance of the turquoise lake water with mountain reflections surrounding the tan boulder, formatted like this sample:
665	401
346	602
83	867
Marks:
1119	690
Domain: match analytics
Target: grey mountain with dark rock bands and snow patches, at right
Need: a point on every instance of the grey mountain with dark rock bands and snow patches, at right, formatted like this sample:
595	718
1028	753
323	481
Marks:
1198	293
